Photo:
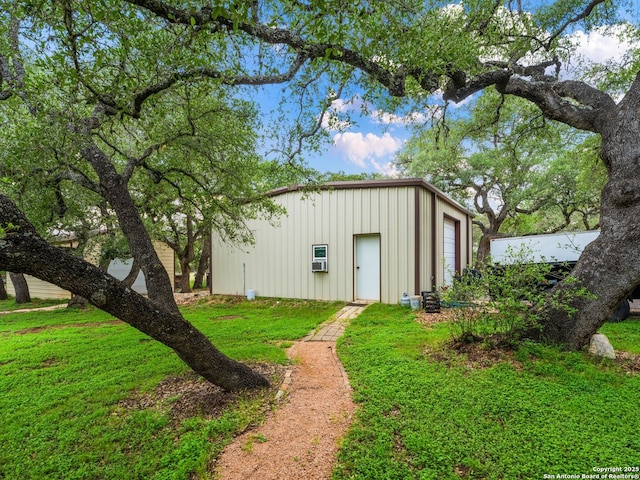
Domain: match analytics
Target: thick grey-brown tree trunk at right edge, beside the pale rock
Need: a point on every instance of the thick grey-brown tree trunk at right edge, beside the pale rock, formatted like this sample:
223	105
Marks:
609	268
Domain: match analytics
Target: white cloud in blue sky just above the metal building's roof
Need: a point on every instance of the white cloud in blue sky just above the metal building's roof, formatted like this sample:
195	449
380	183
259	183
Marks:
359	148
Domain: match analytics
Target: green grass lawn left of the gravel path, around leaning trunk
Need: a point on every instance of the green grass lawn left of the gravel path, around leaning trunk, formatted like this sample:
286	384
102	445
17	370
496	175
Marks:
63	375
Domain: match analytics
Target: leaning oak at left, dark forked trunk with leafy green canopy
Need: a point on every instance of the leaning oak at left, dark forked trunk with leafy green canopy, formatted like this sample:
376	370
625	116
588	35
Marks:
59	66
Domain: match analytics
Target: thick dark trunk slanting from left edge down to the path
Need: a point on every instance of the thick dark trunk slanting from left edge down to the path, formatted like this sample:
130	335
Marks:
23	250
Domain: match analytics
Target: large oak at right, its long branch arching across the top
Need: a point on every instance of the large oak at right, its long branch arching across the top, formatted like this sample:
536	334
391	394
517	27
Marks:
413	50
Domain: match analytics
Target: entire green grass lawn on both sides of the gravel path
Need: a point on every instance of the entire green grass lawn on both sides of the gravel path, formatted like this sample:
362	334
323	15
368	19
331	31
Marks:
425	412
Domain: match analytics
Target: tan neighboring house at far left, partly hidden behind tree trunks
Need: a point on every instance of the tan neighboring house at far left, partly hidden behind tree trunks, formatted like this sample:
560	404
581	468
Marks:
118	268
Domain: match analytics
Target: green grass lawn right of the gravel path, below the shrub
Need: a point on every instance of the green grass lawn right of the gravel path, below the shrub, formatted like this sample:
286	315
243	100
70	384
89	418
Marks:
429	413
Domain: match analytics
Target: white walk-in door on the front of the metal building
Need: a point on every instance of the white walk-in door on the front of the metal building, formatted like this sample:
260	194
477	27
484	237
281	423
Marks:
368	267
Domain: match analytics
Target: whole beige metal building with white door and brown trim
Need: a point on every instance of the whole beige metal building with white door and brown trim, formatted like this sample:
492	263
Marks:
365	240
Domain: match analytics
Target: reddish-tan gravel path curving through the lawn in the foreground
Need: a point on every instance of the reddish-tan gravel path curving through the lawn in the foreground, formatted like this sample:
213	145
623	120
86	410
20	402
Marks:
299	440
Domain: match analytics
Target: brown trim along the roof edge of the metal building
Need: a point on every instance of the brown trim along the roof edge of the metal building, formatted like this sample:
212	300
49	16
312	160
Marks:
383	183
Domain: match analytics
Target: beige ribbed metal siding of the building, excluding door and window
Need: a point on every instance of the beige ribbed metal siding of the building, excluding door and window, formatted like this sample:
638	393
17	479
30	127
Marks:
278	265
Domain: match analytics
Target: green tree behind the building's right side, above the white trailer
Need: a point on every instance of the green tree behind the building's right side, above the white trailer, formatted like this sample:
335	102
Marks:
522	173
